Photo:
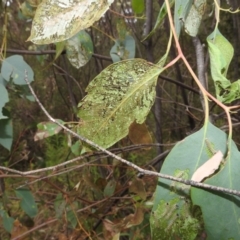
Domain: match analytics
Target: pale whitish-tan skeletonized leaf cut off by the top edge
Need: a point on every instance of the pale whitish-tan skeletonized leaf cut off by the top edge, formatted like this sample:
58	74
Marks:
57	20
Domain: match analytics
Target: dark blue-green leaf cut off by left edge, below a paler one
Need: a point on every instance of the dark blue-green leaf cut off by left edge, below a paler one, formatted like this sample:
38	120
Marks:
6	131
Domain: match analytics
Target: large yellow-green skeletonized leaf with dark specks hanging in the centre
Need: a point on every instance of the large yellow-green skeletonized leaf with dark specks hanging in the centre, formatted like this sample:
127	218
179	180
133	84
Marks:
122	93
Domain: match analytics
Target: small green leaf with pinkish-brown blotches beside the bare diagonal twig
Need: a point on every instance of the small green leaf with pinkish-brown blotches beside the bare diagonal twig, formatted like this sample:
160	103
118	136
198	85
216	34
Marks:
47	129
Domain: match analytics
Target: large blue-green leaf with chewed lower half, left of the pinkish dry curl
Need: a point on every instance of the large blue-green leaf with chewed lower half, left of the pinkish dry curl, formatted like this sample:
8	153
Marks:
183	160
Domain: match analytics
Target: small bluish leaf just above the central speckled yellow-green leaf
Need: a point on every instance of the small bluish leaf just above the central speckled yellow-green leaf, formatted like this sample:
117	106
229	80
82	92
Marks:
123	50
